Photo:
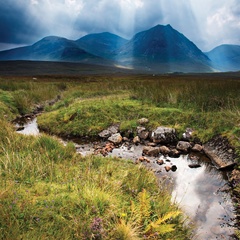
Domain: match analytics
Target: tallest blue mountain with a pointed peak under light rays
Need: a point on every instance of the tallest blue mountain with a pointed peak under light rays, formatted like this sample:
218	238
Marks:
163	48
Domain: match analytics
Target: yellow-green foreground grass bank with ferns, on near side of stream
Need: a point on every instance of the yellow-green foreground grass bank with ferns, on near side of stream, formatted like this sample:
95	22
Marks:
48	191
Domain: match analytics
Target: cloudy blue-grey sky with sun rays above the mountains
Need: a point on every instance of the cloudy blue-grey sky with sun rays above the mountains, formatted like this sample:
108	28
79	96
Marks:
207	23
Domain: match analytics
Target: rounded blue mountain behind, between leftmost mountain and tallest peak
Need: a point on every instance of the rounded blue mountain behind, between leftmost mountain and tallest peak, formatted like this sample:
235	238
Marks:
101	44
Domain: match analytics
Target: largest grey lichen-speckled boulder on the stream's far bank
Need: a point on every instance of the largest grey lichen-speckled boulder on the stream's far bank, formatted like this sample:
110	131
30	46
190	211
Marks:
164	135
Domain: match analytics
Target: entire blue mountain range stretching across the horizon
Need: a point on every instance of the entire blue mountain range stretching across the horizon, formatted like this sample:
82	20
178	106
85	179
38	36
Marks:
158	49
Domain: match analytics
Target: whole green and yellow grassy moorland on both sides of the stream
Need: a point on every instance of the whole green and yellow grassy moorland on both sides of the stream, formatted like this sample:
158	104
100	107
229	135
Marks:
47	191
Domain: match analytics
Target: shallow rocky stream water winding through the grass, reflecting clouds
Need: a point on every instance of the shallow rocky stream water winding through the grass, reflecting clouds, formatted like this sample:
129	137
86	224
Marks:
202	193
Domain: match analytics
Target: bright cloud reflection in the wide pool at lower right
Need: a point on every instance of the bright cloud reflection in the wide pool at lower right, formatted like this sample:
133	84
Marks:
198	191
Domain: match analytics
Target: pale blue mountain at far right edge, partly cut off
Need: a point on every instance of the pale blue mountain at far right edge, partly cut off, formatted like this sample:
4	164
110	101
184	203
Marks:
225	57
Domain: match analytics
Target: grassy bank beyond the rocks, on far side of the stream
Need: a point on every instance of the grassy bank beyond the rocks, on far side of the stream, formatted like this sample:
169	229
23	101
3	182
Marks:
210	105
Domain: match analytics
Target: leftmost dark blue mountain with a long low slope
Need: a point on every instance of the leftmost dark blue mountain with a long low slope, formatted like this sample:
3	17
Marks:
49	49
